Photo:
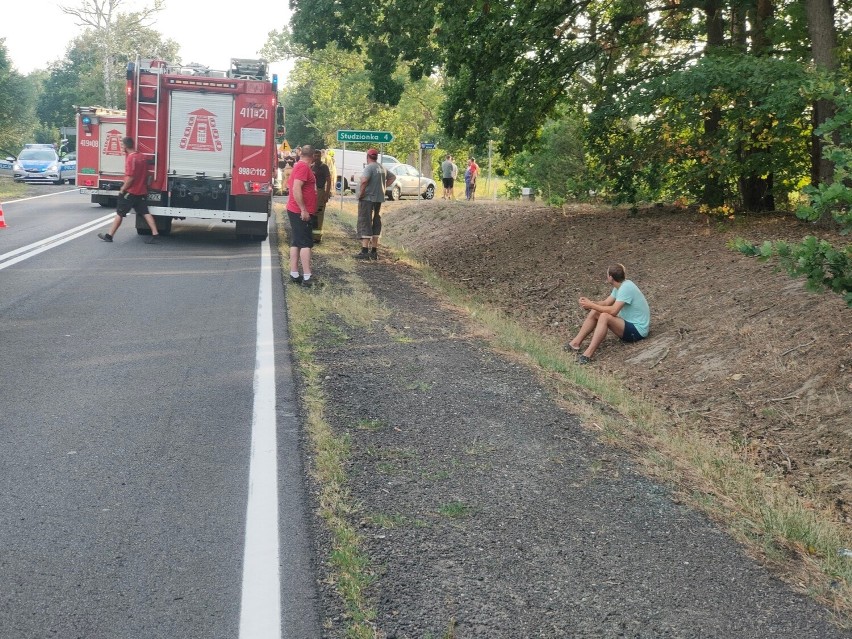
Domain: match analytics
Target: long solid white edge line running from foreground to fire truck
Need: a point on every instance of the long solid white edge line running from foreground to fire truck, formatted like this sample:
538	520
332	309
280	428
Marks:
260	610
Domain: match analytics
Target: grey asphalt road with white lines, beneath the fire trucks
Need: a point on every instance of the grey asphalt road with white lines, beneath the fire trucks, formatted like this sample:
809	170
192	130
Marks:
129	398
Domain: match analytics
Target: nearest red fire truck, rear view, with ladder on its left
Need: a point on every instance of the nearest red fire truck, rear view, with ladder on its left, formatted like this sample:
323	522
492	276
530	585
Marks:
209	137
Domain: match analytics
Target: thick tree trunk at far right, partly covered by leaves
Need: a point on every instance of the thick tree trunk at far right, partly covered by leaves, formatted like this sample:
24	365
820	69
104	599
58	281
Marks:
823	36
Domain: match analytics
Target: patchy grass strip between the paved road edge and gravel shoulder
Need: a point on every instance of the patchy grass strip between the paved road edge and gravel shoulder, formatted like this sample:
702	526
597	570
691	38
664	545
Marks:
312	316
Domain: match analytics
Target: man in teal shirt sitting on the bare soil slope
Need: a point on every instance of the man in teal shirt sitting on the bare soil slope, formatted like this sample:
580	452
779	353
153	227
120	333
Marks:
625	312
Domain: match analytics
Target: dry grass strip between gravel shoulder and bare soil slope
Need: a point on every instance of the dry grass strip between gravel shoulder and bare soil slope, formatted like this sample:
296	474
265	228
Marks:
803	544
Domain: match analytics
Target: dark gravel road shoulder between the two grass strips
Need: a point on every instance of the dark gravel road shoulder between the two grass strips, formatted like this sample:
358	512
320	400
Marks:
486	509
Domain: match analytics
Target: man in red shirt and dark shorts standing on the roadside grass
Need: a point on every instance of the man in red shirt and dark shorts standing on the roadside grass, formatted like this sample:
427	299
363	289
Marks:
301	206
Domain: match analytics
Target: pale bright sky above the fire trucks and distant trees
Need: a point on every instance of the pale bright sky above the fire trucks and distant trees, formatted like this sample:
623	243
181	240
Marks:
207	34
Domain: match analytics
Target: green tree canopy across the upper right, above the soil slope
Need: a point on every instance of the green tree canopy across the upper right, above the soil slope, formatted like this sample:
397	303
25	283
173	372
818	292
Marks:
701	99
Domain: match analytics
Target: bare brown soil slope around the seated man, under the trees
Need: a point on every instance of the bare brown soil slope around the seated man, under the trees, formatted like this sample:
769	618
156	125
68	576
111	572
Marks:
734	343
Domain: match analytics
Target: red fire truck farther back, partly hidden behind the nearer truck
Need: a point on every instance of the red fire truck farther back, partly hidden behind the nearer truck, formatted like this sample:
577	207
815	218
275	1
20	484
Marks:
100	155
